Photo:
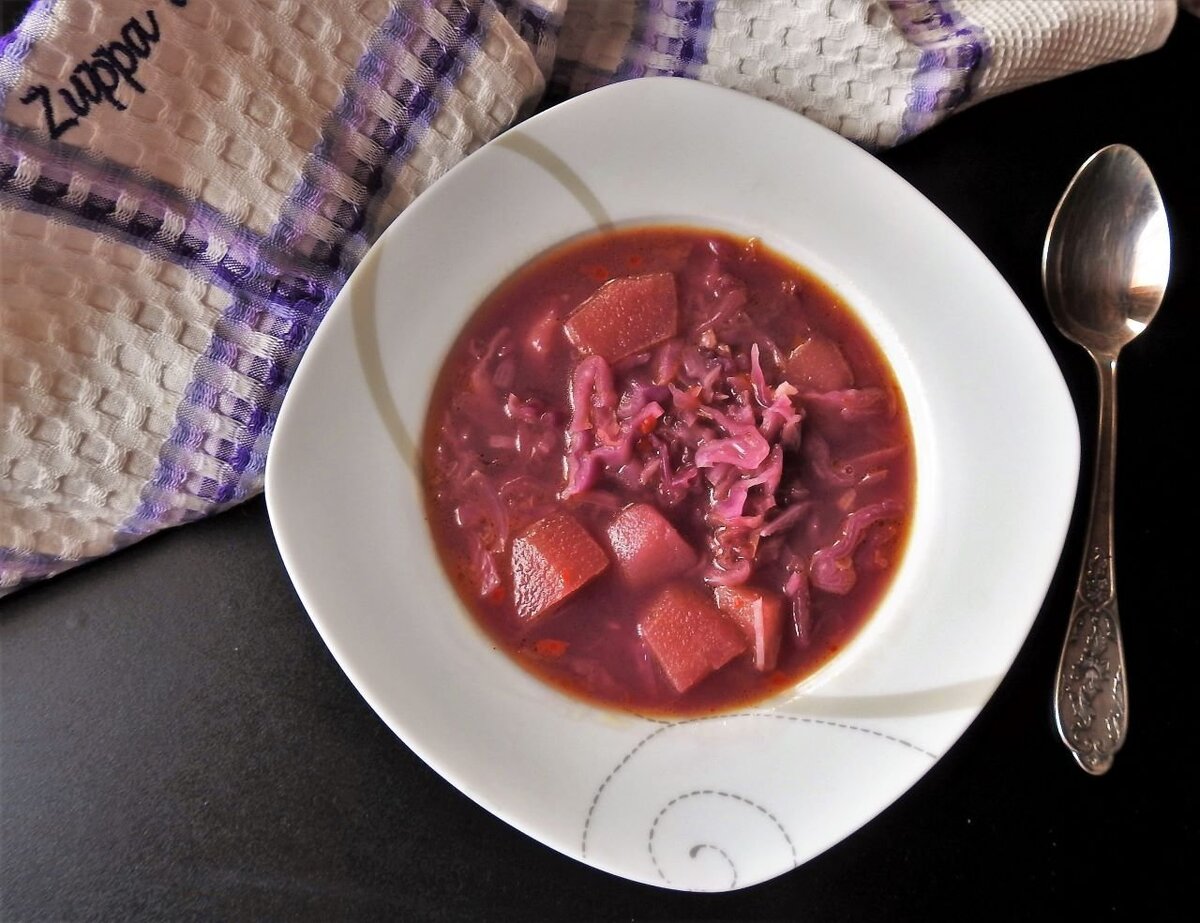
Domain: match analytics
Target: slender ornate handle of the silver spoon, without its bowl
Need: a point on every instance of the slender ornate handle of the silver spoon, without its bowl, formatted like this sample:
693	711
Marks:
1090	690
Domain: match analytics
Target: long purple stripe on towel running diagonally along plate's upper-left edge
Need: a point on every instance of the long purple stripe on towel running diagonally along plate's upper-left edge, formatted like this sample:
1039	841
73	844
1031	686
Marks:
235	466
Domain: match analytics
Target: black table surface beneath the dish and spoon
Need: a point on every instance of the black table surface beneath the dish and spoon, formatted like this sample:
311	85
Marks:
177	744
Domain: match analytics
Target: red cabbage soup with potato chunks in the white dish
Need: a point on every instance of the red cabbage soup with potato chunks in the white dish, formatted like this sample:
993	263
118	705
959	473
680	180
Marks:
668	470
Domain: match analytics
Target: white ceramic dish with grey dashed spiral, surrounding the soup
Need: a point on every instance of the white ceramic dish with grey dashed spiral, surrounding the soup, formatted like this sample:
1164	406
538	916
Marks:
716	804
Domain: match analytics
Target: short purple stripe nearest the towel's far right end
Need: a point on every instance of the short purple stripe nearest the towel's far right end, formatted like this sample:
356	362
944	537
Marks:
952	53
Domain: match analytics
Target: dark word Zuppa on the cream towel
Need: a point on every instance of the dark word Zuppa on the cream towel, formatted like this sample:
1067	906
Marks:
97	80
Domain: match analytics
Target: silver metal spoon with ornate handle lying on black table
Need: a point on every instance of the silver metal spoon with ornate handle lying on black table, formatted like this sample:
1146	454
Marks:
1105	271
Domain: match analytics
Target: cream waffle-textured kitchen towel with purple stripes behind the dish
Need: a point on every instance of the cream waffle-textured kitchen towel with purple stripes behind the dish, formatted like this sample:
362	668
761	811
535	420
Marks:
187	184
